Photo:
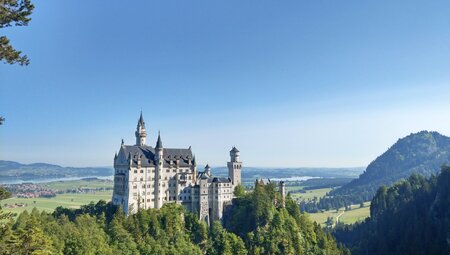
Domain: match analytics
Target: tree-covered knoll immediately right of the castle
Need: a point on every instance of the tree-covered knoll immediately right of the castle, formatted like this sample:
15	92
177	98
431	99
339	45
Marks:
266	228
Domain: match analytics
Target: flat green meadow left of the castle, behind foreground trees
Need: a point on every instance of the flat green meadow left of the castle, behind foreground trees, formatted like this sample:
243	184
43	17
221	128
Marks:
69	200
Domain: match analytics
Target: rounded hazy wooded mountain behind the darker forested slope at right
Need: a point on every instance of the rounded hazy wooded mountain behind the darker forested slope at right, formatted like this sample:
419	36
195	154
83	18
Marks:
423	153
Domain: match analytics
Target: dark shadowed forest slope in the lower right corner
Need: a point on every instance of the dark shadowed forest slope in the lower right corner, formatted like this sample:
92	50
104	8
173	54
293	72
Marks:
411	217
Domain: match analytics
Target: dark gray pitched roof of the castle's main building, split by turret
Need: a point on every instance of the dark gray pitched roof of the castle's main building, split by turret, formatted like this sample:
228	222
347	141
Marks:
147	154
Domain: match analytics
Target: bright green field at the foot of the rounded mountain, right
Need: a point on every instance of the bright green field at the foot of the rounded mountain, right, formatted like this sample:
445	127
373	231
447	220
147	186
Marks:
348	217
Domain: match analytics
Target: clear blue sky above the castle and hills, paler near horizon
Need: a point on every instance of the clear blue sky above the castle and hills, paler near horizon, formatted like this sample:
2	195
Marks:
289	83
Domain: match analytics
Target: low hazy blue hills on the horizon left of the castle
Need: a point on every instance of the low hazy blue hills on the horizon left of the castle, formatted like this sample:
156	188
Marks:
10	170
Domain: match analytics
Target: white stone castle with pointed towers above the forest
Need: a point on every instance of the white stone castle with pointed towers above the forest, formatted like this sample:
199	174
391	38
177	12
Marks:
147	177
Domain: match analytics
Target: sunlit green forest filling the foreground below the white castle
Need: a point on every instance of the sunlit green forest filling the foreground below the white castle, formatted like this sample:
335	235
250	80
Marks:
256	224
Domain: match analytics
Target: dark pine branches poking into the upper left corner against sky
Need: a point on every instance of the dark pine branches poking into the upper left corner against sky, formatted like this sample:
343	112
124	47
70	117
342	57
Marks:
13	13
